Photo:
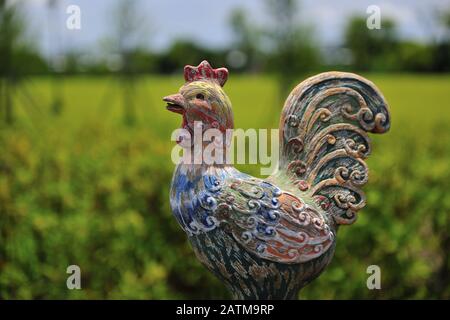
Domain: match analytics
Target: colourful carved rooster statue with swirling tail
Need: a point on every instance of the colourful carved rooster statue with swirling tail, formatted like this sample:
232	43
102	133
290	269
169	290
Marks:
267	238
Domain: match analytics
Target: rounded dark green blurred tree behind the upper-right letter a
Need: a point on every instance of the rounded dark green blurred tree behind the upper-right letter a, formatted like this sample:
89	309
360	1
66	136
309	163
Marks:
370	48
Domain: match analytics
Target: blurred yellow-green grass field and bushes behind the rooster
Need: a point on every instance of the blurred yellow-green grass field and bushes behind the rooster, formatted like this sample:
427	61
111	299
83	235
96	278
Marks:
83	188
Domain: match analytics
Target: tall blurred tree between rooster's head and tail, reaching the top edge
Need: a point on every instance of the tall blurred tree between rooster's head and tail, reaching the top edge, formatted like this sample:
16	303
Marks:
294	51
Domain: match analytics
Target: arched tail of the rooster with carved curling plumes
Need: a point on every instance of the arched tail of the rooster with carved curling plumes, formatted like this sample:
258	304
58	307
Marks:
324	140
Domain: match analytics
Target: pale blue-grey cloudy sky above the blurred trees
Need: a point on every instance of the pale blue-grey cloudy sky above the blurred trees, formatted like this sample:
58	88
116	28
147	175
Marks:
207	21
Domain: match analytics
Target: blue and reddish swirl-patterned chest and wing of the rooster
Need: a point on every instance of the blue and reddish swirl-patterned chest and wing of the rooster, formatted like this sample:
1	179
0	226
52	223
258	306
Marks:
268	222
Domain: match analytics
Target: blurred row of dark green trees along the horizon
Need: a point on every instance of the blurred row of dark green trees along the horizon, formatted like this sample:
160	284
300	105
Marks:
283	46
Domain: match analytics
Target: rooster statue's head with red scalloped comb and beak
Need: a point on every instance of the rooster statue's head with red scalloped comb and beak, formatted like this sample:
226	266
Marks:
202	100
